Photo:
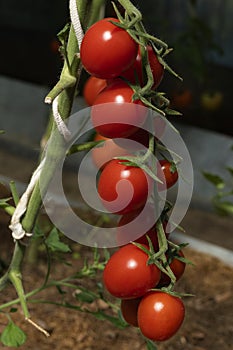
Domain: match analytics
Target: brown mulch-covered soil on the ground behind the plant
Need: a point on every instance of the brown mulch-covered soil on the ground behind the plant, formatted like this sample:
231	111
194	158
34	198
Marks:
208	323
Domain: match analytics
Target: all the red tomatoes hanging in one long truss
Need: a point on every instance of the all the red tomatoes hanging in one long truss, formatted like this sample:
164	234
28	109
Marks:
114	62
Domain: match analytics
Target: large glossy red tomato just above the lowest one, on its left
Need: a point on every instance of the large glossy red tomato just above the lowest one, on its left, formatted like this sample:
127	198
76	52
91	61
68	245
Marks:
127	275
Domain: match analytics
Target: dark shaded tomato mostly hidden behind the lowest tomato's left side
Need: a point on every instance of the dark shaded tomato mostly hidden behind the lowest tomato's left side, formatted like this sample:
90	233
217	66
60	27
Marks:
129	310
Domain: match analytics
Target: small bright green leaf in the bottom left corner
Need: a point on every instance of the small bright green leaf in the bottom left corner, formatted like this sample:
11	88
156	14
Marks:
12	335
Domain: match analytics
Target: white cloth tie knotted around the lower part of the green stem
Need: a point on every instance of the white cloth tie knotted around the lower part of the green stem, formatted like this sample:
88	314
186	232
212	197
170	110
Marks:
16	227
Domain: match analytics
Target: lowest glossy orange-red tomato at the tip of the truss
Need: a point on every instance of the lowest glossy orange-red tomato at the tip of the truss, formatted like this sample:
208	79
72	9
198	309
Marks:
160	315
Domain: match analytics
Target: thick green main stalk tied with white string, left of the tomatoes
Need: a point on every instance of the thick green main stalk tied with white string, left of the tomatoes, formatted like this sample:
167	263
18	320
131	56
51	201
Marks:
65	88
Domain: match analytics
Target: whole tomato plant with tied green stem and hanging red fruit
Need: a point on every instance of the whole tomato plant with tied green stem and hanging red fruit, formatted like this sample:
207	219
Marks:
110	53
